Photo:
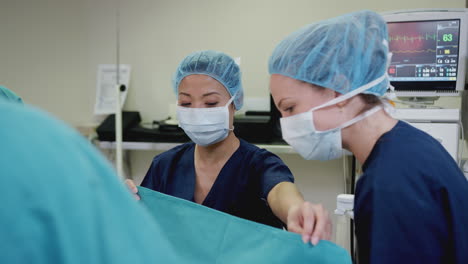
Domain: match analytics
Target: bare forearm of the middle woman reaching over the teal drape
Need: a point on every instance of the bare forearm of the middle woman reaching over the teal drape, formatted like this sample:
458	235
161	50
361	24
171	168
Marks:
282	197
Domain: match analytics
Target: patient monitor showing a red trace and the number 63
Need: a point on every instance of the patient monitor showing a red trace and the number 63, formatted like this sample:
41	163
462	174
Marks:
429	52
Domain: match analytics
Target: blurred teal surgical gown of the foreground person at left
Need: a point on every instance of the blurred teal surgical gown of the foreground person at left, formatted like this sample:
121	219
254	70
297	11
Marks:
63	203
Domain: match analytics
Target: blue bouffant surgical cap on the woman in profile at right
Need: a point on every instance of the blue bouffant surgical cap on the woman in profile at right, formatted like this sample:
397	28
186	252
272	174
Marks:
342	54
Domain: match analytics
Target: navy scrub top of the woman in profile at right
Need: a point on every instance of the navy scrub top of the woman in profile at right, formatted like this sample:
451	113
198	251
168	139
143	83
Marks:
411	203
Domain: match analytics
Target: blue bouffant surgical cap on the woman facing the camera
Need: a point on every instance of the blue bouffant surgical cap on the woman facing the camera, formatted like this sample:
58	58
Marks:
217	65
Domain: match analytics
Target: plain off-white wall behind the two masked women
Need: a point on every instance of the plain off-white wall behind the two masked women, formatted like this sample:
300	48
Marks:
50	49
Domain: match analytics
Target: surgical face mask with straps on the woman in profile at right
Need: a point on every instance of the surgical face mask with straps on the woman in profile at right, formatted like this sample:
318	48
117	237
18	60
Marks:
299	130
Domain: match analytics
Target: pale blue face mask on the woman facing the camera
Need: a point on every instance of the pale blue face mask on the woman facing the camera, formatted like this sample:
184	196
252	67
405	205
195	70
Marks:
205	126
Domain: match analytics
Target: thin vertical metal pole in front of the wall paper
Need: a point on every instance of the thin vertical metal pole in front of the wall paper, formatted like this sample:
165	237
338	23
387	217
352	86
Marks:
118	111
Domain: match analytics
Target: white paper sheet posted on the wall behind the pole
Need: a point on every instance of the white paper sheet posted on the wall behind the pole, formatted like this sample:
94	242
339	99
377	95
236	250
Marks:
106	92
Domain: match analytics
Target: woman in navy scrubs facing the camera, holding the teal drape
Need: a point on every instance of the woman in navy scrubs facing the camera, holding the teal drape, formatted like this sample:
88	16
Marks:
218	169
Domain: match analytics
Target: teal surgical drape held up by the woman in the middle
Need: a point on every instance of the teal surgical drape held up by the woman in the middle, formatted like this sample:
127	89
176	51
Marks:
204	235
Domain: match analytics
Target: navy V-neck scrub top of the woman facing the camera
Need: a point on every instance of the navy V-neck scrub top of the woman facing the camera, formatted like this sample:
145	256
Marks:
241	188
